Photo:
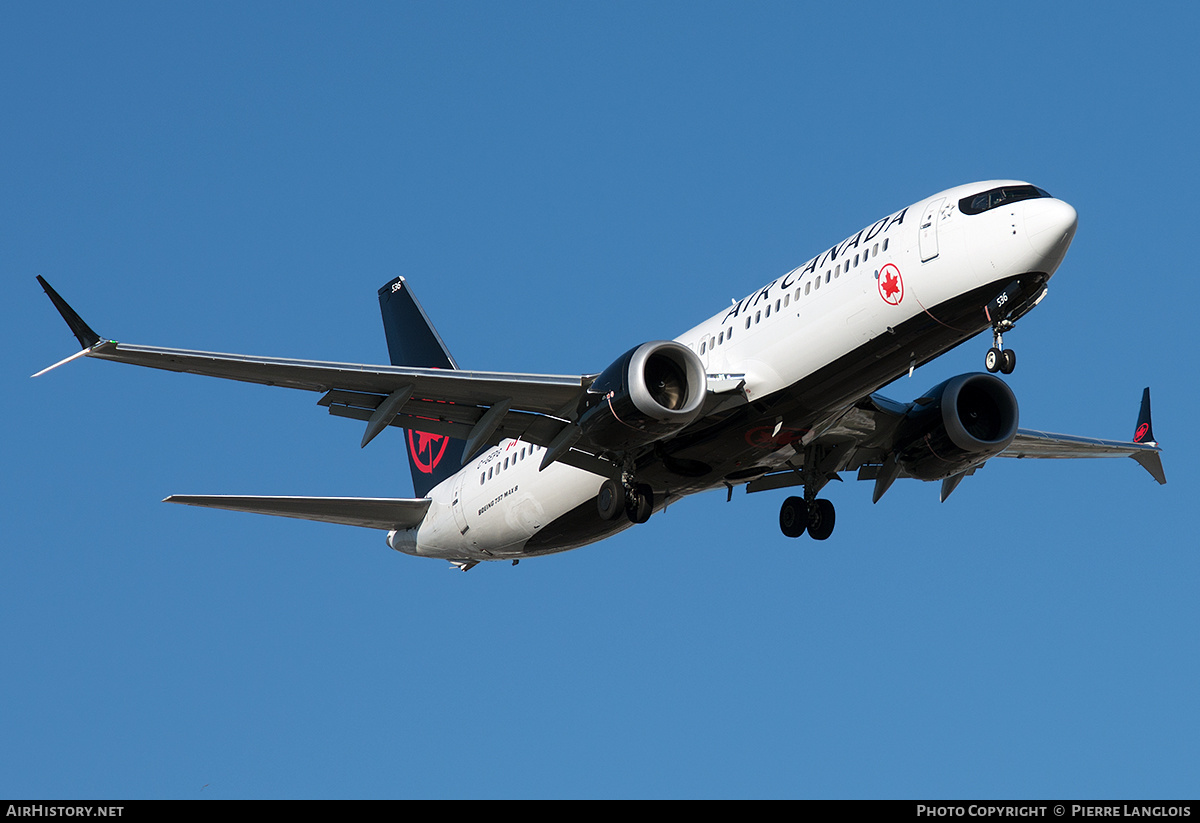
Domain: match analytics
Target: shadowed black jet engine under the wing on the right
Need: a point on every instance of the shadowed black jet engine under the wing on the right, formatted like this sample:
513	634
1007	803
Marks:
956	426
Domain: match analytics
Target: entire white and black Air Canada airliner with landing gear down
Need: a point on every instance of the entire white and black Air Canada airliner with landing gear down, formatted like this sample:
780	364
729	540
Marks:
776	392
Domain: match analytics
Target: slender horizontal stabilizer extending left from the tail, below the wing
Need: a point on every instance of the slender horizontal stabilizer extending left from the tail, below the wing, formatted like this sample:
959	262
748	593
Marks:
365	512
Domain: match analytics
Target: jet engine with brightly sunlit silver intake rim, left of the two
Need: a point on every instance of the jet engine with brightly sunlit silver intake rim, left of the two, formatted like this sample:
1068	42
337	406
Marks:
649	394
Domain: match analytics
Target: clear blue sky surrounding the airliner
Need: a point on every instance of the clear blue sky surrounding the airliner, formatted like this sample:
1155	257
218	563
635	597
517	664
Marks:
561	183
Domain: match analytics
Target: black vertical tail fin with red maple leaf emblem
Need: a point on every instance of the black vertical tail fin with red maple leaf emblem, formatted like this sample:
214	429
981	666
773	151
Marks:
413	341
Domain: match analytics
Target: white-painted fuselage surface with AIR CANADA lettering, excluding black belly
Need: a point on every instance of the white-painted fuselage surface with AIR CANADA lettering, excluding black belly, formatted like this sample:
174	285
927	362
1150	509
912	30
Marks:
868	285
